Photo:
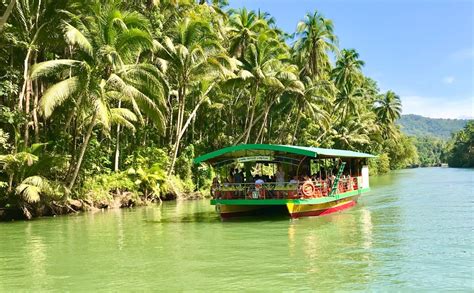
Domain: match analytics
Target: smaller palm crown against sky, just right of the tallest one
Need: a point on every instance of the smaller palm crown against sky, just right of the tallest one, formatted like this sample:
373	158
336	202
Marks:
348	69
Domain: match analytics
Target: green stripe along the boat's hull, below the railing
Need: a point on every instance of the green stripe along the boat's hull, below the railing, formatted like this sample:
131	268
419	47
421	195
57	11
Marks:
285	201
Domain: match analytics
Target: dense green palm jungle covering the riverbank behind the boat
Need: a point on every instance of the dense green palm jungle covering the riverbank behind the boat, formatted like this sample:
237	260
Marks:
101	98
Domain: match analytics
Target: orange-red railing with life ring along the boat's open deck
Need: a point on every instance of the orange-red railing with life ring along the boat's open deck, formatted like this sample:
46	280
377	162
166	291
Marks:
283	190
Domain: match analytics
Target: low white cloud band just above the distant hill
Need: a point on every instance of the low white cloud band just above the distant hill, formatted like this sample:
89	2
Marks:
436	107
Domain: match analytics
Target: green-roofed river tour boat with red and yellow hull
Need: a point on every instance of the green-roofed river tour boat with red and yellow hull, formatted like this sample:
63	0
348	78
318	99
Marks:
254	179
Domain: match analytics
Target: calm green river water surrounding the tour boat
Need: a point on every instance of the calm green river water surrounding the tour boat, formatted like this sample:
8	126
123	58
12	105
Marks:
414	230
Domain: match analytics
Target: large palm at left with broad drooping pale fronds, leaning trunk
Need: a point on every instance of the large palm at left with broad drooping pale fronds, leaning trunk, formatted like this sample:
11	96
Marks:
102	74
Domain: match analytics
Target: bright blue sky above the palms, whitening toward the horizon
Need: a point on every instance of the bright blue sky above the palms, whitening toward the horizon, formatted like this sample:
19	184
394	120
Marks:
422	50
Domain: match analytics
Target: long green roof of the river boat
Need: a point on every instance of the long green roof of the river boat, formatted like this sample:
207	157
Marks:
242	150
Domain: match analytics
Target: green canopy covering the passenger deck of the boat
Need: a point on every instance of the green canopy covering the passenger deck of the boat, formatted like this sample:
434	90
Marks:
269	152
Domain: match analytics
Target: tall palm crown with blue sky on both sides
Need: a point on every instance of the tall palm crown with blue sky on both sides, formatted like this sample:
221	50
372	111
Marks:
316	39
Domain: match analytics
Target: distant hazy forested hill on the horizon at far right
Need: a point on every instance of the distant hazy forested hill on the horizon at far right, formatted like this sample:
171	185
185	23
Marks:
423	126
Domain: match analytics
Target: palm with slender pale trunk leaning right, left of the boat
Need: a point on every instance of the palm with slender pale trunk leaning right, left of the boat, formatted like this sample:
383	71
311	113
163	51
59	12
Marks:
195	55
